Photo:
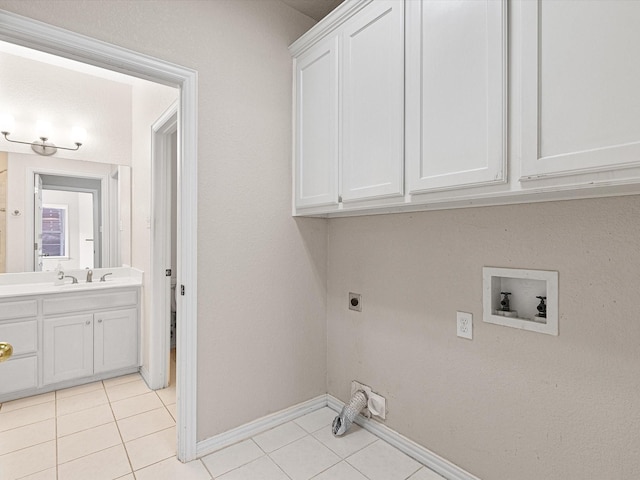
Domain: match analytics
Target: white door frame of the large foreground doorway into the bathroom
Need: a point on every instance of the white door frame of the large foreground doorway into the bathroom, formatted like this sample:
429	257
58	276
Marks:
33	34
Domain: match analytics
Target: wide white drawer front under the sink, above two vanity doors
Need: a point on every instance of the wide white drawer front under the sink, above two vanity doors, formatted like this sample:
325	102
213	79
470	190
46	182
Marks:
89	302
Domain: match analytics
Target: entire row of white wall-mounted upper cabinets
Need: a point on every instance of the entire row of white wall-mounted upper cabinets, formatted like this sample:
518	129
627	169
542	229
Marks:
404	105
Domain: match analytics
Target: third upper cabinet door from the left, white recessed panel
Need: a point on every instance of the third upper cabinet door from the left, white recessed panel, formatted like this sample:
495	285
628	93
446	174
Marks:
456	93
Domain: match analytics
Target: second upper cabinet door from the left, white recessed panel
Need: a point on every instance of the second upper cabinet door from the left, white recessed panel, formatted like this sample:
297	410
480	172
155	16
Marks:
373	102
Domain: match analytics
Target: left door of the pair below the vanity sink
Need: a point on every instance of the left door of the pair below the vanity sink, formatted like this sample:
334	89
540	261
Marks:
68	348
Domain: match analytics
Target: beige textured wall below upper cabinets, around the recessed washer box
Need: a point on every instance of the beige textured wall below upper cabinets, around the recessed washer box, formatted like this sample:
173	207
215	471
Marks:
509	404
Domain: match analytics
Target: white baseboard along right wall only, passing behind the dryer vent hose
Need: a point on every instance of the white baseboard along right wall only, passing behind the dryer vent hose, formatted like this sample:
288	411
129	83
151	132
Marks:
426	457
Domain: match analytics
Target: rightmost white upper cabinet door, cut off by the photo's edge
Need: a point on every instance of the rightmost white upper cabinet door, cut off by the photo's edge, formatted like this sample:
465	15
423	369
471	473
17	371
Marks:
580	84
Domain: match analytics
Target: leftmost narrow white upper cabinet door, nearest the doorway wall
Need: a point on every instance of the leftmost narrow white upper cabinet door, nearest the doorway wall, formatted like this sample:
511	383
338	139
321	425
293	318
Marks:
316	151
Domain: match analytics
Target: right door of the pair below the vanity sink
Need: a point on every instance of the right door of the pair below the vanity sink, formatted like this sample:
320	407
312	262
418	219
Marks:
116	340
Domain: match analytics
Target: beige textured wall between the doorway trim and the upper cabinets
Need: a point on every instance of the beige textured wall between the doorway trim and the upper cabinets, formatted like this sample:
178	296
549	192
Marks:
261	276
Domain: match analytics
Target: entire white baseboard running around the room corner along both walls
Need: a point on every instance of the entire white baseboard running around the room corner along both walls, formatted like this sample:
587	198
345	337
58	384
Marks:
426	457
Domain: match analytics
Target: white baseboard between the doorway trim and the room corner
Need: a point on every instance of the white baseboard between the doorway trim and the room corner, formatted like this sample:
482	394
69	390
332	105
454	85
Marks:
260	425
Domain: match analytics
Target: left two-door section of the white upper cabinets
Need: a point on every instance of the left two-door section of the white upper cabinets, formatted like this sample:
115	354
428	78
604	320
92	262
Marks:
349	108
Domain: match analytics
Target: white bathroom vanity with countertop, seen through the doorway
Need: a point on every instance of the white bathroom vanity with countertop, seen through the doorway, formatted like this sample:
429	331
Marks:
66	335
